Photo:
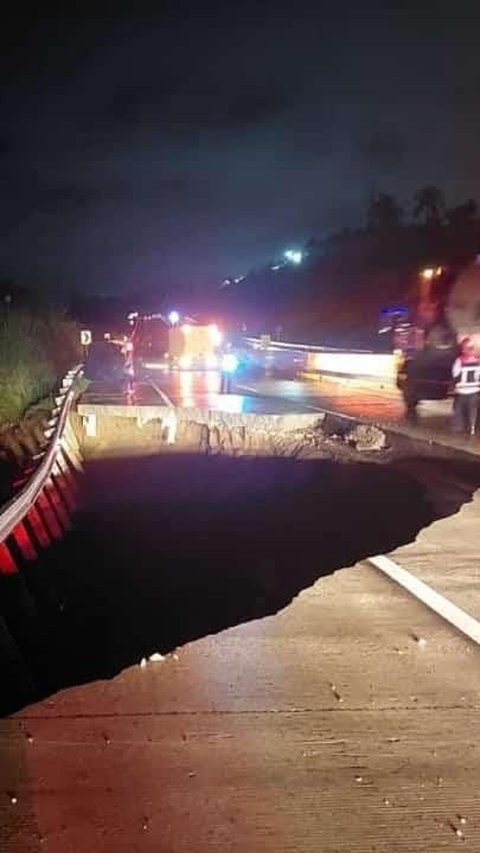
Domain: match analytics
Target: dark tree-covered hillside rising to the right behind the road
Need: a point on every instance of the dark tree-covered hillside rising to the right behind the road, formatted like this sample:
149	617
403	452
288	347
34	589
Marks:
336	294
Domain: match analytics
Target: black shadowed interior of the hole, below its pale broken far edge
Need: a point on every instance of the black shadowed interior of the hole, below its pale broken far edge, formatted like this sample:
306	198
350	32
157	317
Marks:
172	546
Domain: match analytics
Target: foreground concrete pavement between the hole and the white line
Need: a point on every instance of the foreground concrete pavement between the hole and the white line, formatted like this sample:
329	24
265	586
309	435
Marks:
345	723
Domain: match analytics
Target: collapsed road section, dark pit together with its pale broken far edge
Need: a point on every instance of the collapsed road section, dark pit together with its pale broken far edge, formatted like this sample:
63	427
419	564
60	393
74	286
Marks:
190	521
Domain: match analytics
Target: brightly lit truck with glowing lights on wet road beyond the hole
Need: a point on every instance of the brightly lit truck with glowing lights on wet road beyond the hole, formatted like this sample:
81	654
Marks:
184	344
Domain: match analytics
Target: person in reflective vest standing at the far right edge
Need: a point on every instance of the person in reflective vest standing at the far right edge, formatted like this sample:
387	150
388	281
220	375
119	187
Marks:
466	373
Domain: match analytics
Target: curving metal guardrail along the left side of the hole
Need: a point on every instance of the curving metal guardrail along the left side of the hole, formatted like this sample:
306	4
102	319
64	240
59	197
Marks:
15	511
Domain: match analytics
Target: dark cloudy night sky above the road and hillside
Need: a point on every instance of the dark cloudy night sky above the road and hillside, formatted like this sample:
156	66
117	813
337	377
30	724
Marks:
139	148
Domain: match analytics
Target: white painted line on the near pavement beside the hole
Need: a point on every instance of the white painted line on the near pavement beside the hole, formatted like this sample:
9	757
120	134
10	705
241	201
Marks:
460	619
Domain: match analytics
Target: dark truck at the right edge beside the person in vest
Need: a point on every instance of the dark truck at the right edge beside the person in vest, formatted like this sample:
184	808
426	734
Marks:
447	309
